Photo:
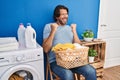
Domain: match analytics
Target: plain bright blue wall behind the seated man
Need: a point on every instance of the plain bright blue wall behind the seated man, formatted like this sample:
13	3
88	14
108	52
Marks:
39	12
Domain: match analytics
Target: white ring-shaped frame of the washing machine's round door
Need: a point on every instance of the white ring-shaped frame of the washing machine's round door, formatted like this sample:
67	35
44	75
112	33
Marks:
10	71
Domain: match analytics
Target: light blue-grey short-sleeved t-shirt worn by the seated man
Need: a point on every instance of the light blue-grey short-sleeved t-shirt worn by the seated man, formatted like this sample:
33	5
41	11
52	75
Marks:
63	35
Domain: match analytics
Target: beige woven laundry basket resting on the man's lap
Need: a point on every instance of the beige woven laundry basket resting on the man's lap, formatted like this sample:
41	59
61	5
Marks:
72	58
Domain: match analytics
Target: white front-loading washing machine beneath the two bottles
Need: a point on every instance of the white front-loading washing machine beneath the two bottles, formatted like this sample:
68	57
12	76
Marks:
28	60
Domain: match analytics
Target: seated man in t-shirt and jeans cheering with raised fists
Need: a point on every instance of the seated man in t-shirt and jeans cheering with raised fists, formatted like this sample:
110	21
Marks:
59	32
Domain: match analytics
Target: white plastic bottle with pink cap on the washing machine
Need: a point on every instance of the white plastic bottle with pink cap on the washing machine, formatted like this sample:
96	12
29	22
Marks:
21	35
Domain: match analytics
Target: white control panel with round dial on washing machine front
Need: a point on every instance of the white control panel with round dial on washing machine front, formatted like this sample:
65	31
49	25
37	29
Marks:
21	56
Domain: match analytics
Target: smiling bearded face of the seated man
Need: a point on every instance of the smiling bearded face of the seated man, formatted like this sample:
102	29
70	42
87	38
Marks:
62	19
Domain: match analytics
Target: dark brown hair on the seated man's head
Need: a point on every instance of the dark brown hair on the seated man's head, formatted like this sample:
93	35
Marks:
57	11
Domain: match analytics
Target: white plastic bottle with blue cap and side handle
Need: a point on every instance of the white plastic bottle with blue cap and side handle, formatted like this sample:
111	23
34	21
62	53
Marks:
30	36
